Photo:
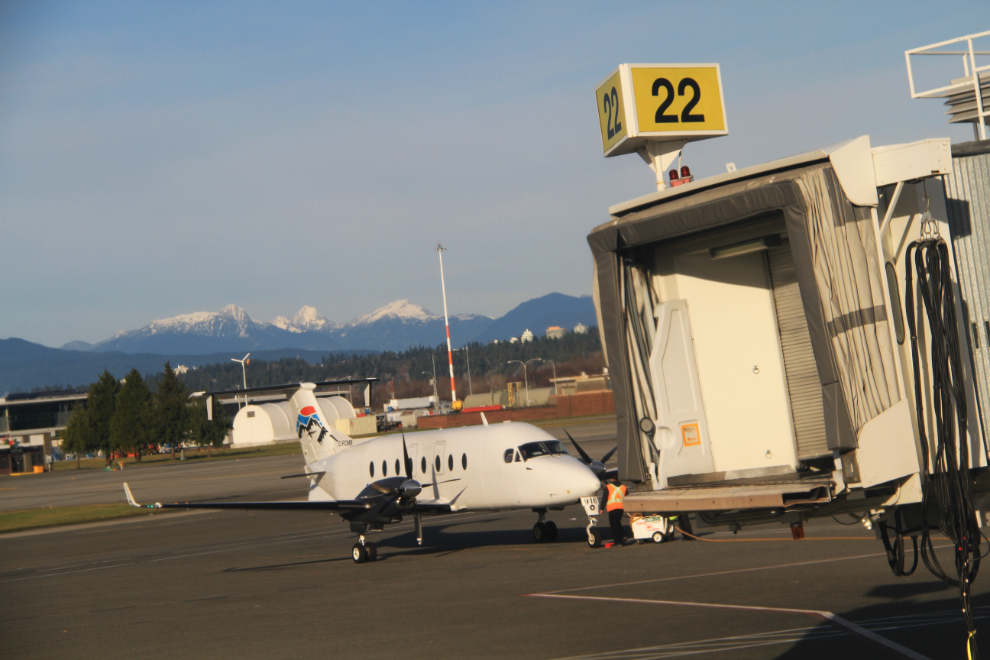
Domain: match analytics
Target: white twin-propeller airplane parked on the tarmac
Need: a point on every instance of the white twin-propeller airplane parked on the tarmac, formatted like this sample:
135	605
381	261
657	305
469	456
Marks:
375	482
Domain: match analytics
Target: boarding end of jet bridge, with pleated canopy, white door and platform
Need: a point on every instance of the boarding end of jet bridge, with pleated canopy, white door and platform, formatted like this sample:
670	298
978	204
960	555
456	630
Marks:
755	330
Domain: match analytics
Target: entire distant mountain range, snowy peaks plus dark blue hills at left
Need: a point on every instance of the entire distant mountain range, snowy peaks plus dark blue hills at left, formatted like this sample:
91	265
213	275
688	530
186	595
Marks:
210	337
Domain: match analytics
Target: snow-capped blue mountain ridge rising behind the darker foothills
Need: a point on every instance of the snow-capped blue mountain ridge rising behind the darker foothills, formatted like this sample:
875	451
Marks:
396	326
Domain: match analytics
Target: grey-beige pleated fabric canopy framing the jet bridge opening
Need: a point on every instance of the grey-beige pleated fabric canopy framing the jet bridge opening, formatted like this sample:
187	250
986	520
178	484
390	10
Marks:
817	208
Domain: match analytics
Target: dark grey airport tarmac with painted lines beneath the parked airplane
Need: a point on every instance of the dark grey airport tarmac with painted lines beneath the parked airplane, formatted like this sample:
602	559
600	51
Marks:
269	584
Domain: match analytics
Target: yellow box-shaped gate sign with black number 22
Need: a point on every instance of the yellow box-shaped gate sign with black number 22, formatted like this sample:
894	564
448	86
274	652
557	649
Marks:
659	102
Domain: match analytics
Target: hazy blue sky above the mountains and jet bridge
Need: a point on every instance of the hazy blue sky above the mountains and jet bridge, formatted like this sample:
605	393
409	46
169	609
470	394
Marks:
171	157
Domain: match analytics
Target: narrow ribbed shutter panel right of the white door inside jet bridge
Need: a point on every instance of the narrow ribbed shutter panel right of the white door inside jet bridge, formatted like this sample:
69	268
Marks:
804	388
